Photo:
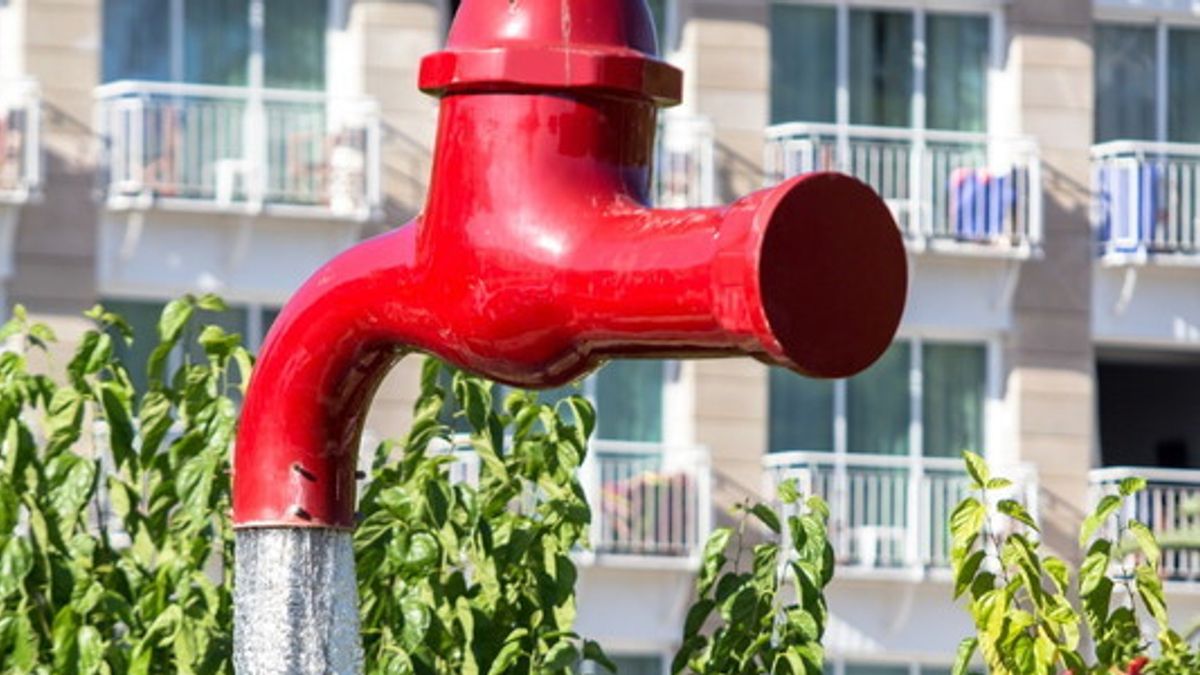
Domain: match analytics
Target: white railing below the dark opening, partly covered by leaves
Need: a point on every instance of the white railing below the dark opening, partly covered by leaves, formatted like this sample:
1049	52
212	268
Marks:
1169	506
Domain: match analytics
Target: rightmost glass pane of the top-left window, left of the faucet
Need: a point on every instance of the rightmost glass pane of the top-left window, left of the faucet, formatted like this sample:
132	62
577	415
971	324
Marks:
295	44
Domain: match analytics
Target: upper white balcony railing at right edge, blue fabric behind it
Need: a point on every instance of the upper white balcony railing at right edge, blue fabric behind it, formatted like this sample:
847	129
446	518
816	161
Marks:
1148	198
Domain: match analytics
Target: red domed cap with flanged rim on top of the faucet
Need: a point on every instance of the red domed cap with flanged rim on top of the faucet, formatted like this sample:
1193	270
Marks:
605	46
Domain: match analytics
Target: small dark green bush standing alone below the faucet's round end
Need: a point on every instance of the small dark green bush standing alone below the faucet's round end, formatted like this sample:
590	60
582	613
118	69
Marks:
772	617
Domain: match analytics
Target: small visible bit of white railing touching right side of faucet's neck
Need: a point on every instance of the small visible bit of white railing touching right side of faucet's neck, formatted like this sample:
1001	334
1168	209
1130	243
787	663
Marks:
685	165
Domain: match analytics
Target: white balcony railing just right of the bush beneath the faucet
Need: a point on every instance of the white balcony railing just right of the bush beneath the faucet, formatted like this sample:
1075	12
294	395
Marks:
647	500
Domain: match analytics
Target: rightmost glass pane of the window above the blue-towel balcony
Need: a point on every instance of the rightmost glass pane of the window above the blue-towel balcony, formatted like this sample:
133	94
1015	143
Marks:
957	73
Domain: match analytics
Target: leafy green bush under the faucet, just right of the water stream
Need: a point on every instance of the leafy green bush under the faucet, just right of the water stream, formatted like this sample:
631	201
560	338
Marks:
477	576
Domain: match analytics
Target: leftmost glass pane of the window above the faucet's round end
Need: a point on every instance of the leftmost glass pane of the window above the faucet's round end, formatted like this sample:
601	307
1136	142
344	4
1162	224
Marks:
803	63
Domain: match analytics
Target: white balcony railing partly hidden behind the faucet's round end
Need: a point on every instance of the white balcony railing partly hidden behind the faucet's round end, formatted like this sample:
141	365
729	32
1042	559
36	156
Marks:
947	190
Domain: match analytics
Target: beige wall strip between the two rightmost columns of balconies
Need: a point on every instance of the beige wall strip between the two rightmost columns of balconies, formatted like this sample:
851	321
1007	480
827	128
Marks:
1052	381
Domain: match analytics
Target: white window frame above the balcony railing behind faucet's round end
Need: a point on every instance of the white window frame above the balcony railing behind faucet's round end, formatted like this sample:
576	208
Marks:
994	10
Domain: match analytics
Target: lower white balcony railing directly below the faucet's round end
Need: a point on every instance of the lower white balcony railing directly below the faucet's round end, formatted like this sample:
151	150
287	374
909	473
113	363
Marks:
890	512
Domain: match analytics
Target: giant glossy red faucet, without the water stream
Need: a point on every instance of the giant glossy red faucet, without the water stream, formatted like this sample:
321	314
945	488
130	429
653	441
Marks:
537	259
